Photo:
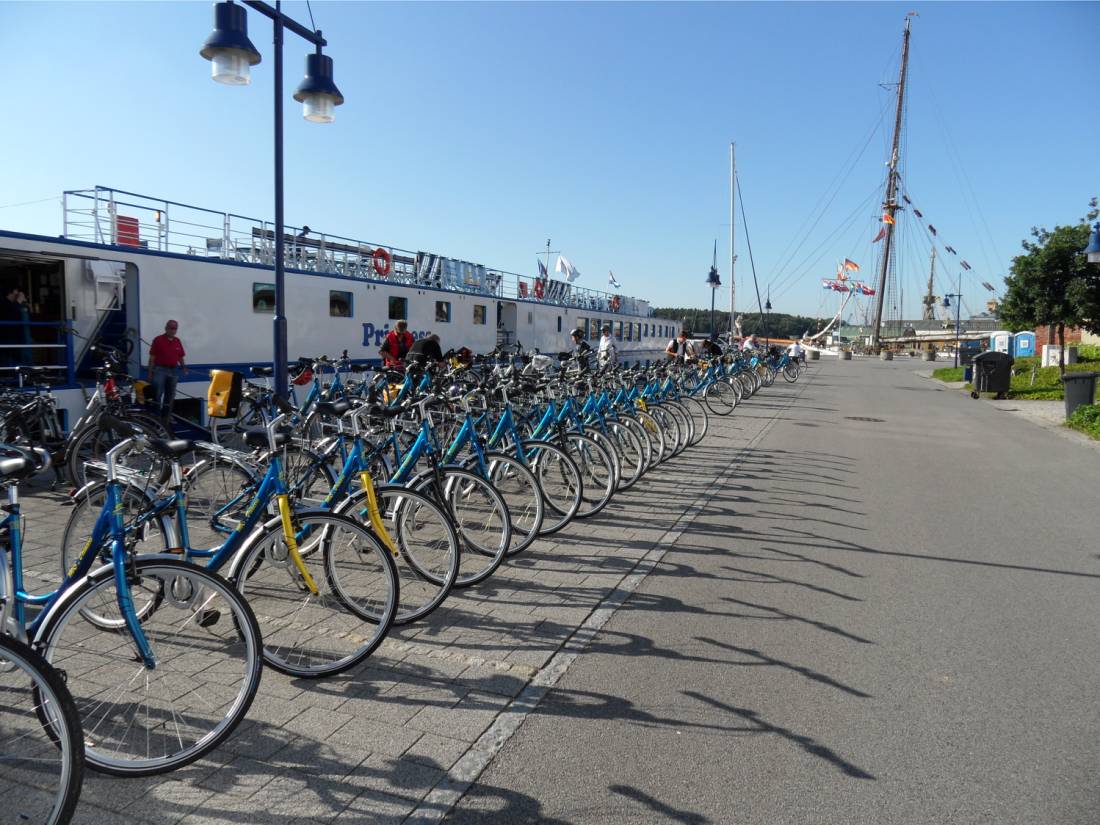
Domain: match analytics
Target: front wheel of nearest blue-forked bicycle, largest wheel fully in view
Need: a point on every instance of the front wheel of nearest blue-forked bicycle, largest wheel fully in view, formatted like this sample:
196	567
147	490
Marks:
144	721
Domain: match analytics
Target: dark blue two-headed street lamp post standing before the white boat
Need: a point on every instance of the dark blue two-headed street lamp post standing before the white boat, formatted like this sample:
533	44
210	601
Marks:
232	54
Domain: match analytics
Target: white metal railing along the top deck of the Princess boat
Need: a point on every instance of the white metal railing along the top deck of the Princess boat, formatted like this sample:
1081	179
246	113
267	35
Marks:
127	219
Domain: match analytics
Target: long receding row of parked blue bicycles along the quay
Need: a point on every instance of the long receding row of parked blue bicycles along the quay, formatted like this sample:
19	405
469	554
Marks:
189	566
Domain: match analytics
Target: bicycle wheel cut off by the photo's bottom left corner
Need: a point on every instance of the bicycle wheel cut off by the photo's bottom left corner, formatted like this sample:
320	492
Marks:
41	740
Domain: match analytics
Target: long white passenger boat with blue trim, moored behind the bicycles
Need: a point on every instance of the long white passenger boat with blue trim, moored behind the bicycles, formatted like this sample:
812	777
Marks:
127	263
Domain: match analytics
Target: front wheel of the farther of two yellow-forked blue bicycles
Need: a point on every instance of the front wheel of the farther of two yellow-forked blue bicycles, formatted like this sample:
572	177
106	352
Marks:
428	548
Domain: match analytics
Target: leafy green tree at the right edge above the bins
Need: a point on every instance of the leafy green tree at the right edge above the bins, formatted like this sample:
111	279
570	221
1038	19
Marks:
1053	285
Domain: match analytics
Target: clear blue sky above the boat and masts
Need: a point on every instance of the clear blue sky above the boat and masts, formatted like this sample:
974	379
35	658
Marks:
480	130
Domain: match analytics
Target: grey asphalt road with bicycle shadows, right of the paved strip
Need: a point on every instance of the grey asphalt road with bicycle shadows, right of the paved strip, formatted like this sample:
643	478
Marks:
886	614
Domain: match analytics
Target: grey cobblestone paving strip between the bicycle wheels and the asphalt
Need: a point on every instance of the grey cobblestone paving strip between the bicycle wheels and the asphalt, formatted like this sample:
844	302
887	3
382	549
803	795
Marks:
401	738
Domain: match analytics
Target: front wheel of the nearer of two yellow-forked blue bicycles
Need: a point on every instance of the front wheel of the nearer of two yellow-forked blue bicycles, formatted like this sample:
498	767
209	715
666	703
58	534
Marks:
310	634
